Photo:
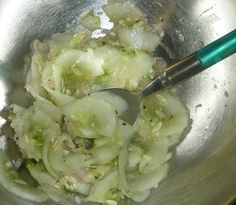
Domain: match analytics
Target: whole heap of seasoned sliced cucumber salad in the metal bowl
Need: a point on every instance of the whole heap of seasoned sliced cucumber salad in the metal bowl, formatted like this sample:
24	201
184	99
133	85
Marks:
72	142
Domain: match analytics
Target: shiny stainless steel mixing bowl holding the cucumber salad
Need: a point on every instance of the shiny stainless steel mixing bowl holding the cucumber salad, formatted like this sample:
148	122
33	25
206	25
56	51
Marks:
204	169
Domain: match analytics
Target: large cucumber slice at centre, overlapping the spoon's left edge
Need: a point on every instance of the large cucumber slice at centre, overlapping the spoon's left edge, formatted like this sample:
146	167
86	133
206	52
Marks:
93	114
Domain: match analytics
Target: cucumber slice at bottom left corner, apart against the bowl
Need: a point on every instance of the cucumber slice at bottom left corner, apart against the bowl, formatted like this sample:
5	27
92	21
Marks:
9	179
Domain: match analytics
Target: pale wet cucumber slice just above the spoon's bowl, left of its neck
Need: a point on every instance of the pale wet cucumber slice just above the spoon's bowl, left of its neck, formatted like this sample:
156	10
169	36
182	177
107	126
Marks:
124	69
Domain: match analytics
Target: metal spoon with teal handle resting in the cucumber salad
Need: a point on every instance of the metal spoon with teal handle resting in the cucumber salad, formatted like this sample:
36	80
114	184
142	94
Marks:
185	68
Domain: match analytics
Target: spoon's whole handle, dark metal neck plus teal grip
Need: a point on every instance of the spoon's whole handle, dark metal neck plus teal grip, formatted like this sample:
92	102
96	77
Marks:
194	64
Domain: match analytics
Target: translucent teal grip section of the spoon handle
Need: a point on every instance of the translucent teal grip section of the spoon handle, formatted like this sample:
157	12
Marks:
217	51
